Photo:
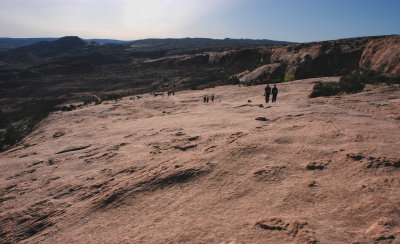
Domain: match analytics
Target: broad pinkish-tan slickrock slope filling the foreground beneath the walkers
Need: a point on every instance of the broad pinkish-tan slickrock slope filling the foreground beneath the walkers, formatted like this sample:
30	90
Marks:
176	170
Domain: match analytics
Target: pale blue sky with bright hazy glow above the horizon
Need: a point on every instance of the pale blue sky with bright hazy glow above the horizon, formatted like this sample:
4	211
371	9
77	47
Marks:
288	20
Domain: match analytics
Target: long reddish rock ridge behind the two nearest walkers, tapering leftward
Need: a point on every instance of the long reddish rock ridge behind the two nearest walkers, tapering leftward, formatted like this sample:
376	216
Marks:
254	65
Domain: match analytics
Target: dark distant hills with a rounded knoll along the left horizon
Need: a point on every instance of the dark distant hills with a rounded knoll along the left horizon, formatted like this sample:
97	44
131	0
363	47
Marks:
109	50
